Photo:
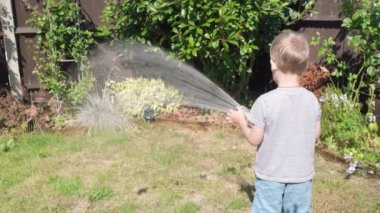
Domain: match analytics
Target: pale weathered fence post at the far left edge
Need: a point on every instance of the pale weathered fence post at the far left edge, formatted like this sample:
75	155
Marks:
10	46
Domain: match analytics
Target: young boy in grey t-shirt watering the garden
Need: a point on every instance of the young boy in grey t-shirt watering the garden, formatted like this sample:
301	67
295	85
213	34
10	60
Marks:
284	125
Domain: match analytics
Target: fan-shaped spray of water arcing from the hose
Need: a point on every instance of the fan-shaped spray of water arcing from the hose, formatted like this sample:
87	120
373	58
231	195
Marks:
119	61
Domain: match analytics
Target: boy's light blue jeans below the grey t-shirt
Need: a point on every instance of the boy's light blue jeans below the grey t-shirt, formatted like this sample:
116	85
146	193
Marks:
272	197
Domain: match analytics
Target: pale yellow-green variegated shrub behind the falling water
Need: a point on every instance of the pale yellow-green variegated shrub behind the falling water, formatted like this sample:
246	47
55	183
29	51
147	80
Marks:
138	94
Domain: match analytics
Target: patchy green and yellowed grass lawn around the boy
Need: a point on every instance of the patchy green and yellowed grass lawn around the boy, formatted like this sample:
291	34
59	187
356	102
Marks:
163	168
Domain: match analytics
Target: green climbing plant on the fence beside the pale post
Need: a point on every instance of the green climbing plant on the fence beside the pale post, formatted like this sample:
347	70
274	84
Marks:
61	37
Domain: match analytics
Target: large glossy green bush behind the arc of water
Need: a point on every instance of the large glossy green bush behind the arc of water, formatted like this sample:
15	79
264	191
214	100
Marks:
222	38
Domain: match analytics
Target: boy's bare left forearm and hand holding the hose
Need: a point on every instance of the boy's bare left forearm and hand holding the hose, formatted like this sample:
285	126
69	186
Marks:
253	134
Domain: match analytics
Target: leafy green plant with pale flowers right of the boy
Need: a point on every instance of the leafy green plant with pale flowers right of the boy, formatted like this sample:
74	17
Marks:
346	129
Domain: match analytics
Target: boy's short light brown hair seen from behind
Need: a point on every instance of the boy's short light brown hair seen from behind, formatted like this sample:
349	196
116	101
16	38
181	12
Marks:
290	52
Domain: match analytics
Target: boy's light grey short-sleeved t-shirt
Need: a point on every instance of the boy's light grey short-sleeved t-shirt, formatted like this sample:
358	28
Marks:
288	117
